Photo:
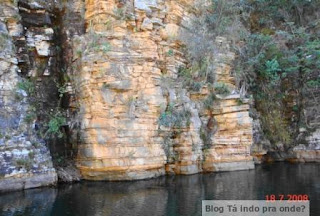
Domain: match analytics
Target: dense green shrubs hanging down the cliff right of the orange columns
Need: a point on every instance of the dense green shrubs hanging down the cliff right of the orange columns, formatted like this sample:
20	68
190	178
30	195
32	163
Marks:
279	60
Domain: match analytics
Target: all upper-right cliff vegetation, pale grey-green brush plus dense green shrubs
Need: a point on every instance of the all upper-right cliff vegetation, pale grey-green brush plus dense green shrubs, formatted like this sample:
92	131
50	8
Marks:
278	56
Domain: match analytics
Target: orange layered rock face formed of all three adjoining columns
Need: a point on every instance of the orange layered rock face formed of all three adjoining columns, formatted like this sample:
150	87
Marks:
125	78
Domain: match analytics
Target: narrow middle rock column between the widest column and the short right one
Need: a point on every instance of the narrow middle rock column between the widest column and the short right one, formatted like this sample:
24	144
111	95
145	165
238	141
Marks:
183	143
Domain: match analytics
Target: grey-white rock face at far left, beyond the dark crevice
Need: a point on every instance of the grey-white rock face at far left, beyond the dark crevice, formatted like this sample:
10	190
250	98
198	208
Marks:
25	161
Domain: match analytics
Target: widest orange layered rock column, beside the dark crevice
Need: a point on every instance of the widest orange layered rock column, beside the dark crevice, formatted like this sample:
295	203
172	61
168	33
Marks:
117	85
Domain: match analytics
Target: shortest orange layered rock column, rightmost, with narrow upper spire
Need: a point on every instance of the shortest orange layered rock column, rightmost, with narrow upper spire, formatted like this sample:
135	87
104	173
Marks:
230	146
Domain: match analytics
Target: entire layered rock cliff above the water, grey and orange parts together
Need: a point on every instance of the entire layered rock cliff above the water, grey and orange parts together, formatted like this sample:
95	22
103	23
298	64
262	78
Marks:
107	83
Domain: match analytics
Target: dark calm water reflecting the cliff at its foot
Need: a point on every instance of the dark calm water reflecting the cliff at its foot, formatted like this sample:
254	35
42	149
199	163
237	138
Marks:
174	196
